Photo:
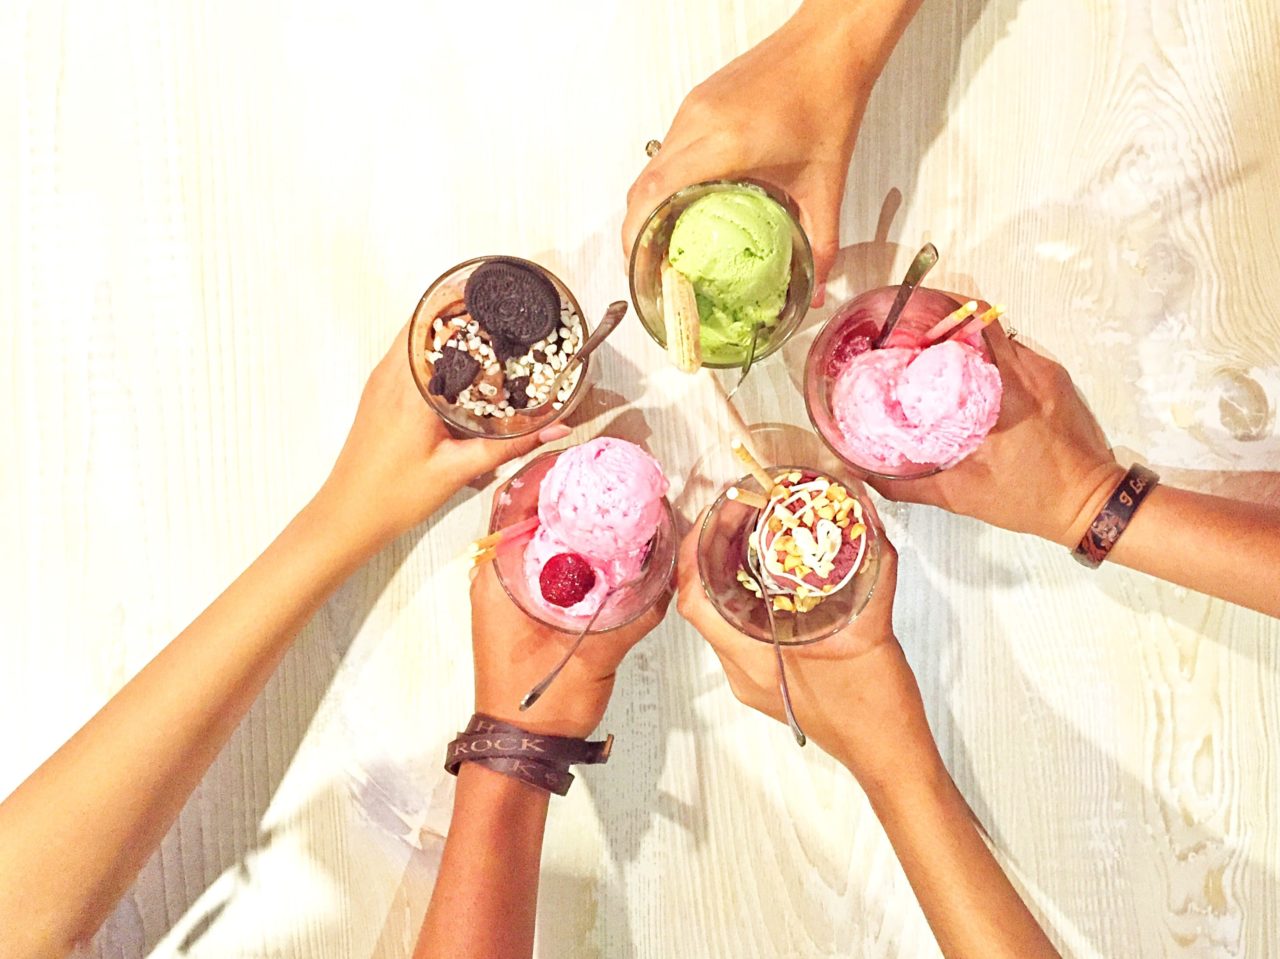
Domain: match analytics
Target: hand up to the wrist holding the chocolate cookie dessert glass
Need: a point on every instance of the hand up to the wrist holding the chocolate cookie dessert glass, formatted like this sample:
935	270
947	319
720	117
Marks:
400	463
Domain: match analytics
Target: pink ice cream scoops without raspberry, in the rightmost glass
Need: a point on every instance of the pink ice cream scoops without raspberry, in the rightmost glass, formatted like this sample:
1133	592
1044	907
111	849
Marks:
904	405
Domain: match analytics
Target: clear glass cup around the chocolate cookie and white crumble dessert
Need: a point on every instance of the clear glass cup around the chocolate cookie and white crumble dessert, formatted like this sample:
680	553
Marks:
447	290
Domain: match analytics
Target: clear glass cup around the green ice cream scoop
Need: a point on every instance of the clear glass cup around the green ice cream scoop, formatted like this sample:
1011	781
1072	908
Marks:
652	248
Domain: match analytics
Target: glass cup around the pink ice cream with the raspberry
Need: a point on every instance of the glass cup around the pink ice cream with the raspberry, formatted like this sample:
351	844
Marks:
516	501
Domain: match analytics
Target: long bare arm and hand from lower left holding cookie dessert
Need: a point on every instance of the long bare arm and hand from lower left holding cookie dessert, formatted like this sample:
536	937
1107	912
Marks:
76	833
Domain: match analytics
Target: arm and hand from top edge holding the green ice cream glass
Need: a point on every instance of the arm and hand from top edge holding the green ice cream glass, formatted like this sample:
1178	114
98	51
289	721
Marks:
787	112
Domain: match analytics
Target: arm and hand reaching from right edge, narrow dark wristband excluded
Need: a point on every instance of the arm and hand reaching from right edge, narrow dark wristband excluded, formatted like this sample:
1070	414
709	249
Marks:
1046	469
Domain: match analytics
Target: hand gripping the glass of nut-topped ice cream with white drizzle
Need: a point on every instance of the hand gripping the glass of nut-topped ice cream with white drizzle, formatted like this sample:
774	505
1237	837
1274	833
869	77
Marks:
854	693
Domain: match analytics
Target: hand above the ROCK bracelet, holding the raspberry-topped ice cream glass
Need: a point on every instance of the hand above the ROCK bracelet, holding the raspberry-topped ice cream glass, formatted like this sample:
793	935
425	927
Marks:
514	652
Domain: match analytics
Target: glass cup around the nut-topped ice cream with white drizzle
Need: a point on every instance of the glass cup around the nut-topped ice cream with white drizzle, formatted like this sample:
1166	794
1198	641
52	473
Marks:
723	552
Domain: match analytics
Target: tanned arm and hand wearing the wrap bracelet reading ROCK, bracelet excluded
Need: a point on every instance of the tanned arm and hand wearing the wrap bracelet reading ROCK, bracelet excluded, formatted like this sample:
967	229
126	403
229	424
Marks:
490	869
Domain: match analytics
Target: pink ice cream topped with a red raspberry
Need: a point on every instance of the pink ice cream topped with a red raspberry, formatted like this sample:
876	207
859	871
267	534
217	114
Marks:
601	501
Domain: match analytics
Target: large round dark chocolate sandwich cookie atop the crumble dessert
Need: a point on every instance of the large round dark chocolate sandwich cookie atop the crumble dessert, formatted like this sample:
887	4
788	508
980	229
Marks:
515	305
